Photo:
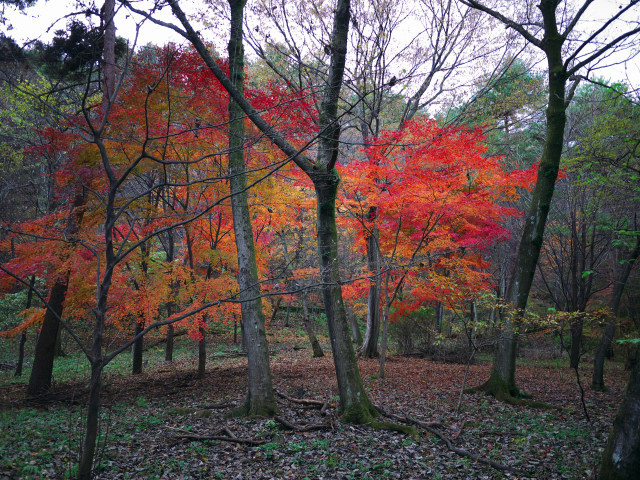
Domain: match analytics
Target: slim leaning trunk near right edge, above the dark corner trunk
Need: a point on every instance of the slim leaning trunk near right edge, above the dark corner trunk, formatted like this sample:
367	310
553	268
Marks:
597	380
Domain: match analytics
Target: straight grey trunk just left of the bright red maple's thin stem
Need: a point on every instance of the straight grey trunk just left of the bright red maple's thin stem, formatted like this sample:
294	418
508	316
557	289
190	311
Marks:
369	347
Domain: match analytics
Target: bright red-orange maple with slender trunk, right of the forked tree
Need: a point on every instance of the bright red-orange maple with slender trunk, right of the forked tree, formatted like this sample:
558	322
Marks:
436	212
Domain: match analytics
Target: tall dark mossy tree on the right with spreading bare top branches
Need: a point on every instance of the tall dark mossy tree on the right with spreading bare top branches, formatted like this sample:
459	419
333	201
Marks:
557	35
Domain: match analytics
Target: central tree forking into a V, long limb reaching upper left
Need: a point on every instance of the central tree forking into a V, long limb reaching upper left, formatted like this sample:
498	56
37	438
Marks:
354	402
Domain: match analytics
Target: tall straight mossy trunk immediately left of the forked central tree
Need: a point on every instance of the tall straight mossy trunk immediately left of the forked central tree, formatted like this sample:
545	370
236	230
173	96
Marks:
260	400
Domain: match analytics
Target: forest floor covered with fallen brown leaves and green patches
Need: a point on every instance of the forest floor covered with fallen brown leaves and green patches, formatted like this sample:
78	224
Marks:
154	424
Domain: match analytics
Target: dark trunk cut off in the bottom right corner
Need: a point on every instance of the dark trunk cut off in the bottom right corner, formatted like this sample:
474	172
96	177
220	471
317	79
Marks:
621	458
